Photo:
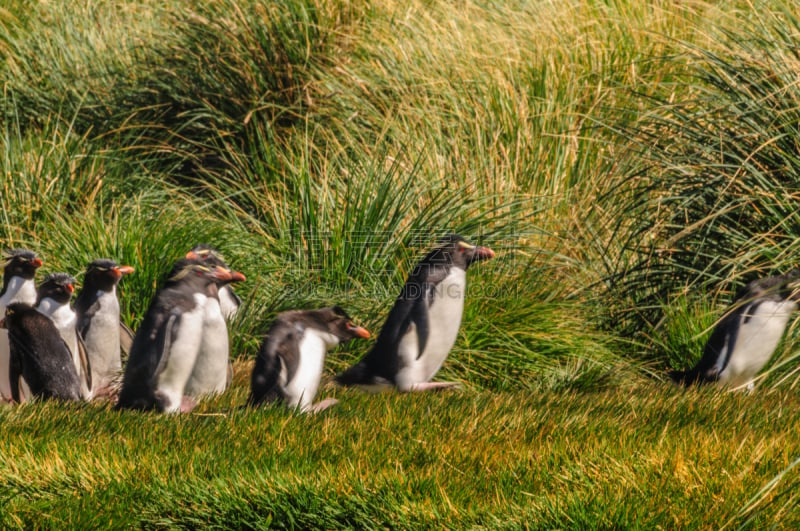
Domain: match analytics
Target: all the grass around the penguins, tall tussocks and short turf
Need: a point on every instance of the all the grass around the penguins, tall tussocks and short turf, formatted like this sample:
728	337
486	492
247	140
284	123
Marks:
631	163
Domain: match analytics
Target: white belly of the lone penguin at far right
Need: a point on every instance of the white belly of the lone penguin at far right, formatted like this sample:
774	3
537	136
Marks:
756	341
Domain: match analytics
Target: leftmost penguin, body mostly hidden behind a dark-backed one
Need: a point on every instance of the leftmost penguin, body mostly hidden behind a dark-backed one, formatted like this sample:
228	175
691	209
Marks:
19	270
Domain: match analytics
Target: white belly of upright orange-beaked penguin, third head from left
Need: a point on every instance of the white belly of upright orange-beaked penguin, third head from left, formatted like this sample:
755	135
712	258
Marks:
102	342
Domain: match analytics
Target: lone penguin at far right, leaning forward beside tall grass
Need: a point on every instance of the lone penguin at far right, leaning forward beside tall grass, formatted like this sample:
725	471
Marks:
744	340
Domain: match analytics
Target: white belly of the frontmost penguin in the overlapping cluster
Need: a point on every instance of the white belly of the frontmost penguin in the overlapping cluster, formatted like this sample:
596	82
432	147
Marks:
181	357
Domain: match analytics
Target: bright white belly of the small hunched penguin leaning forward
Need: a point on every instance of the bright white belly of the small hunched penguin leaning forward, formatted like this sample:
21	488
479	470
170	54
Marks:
302	388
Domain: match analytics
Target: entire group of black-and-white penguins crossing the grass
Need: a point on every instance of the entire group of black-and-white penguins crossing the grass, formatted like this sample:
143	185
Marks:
180	354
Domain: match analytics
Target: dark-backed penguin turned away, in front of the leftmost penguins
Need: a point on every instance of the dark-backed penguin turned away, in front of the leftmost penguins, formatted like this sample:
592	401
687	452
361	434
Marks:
40	355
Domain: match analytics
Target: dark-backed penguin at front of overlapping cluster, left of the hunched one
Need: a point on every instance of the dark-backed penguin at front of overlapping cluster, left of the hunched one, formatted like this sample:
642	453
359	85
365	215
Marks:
167	343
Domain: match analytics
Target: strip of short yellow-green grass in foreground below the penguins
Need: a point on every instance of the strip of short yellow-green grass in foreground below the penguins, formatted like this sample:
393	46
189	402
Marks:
639	455
